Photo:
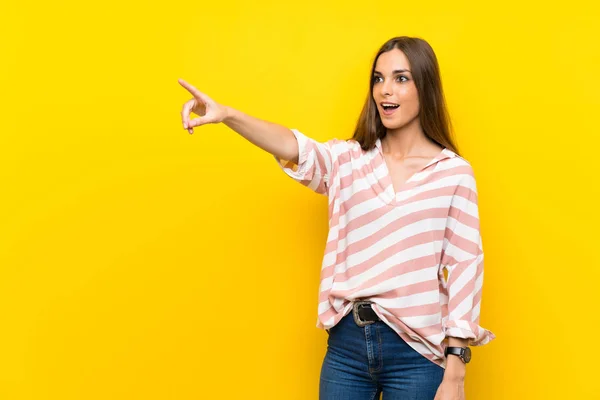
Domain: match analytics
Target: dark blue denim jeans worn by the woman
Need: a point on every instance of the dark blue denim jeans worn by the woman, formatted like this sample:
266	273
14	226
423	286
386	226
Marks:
362	362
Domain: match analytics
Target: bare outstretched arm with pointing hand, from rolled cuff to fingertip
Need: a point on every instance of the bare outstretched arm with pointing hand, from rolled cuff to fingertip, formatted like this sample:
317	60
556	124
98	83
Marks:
273	138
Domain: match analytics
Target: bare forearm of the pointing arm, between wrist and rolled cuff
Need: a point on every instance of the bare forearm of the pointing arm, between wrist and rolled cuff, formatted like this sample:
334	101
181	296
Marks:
271	137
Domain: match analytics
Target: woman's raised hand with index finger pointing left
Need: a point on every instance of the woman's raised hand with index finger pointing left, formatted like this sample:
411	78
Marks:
210	111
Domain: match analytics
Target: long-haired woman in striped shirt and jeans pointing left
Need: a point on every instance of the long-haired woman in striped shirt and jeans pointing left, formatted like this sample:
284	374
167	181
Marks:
402	274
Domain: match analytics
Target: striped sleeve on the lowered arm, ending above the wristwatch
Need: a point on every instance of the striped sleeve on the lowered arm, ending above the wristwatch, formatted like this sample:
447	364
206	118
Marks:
462	256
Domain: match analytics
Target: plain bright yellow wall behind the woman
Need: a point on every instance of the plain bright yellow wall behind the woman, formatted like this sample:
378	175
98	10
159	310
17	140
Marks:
140	262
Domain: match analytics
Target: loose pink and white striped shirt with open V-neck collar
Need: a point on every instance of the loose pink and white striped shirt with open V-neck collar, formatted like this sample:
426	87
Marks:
392	247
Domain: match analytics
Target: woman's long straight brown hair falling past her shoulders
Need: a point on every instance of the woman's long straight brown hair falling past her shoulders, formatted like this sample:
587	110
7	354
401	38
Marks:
433	113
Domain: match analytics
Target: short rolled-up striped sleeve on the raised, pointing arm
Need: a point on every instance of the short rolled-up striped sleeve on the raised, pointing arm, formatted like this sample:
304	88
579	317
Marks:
315	163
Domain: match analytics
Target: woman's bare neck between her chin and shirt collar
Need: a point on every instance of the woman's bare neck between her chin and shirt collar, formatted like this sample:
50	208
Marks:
406	141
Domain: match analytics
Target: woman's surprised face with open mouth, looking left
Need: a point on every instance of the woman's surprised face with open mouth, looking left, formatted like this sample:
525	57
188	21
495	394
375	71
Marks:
393	84
